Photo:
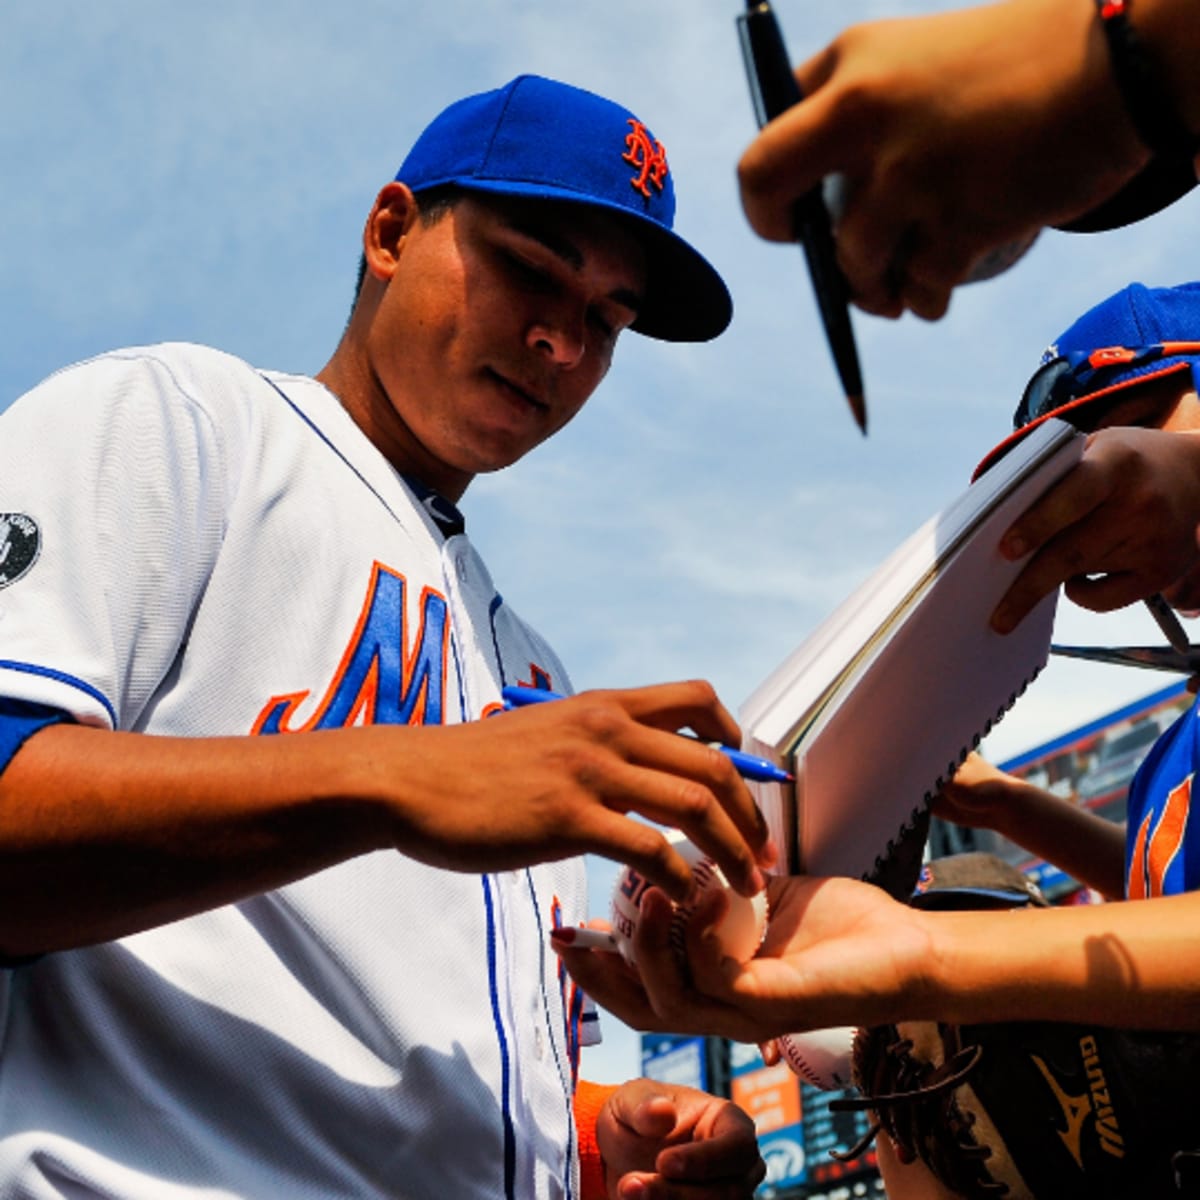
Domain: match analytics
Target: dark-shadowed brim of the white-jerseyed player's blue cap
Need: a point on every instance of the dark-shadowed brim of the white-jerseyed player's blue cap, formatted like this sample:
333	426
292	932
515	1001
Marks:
686	298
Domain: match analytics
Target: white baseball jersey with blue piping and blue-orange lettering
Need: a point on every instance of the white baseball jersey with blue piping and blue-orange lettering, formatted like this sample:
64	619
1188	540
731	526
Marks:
196	548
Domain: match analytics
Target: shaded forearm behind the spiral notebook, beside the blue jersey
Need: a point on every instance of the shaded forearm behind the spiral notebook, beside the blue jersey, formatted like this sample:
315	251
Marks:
1073	839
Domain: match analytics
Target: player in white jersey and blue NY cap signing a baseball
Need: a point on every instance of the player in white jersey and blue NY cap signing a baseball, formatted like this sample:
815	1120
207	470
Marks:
279	873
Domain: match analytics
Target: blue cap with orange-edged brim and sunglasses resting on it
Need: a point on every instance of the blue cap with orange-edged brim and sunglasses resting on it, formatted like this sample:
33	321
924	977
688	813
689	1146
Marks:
1135	335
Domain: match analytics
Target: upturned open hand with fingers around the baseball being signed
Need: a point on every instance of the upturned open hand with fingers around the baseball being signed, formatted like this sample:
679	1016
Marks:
838	952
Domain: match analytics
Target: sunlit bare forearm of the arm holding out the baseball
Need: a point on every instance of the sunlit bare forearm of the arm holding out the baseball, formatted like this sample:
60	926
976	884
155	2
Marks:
1127	964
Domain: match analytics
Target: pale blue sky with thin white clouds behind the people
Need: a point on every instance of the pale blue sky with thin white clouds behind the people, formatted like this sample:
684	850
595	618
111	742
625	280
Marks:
202	172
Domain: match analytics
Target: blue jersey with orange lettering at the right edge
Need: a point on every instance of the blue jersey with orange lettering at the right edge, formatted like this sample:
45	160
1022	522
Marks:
1162	850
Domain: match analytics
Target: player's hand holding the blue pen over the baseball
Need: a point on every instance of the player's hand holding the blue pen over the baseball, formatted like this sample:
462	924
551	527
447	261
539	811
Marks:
554	781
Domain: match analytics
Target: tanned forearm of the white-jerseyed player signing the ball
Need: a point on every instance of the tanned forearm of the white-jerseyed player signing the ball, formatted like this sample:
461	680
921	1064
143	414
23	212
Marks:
104	835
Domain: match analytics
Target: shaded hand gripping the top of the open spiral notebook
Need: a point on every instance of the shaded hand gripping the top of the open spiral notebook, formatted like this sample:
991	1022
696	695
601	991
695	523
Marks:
1119	527
